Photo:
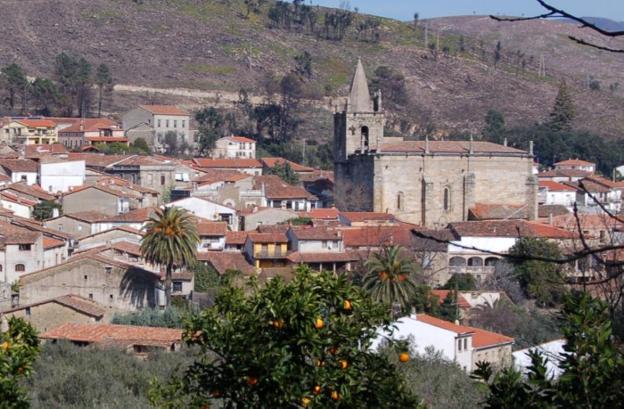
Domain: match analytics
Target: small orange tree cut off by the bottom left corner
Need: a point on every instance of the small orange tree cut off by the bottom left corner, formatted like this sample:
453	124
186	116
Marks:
19	347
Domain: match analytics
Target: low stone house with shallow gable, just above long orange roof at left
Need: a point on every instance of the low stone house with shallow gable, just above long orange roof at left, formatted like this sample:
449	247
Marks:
48	314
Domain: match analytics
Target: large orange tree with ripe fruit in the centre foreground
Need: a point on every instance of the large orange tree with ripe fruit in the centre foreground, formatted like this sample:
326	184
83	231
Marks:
305	343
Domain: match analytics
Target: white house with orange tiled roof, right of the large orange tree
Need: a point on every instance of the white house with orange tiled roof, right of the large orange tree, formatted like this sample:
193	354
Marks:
458	343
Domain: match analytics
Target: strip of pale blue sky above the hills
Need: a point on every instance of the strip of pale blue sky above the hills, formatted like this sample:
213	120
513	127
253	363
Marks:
405	9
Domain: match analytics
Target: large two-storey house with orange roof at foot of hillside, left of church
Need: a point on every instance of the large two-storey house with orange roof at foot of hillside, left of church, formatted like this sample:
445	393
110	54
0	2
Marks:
153	122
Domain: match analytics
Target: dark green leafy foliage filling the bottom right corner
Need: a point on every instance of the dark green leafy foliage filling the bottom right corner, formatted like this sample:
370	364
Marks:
593	366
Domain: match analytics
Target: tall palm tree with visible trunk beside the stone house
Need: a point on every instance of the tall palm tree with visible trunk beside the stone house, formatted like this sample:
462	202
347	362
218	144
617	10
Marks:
171	241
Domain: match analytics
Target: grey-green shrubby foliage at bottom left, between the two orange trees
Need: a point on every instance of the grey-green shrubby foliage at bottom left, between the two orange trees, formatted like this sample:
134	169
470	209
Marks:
71	377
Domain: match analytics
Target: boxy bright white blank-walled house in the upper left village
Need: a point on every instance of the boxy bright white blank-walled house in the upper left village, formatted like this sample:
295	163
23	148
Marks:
58	175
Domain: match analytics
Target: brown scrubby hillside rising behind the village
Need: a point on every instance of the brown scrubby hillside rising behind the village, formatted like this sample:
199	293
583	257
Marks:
212	46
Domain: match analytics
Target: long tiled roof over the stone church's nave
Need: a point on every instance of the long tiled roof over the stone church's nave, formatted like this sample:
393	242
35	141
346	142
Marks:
450	147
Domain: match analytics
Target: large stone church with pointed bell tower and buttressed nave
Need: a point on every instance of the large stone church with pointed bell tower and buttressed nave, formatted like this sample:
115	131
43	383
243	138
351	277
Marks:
429	183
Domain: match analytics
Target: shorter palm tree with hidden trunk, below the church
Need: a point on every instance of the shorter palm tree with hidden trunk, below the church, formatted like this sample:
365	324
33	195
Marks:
391	278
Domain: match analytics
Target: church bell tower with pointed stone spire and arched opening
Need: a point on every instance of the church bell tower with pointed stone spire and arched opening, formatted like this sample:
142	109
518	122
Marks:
359	128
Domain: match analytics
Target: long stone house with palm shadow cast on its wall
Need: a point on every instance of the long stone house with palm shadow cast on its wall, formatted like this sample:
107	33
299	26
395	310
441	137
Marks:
111	283
